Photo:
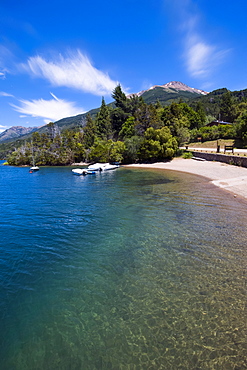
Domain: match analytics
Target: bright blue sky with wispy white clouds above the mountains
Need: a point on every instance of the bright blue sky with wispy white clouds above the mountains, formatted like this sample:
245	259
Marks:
57	59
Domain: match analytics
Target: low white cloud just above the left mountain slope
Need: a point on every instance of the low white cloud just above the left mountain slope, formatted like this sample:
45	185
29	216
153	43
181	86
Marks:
50	110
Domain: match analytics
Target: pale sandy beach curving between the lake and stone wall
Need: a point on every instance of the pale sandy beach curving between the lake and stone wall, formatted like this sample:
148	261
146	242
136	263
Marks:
225	176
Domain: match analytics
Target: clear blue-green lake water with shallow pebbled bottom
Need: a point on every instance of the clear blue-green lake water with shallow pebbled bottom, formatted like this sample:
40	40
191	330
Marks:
129	269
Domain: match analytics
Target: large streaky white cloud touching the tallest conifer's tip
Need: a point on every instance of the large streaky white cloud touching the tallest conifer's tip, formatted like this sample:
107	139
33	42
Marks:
73	71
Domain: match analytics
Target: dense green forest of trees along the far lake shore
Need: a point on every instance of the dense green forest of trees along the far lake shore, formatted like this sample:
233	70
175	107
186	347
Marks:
132	130
